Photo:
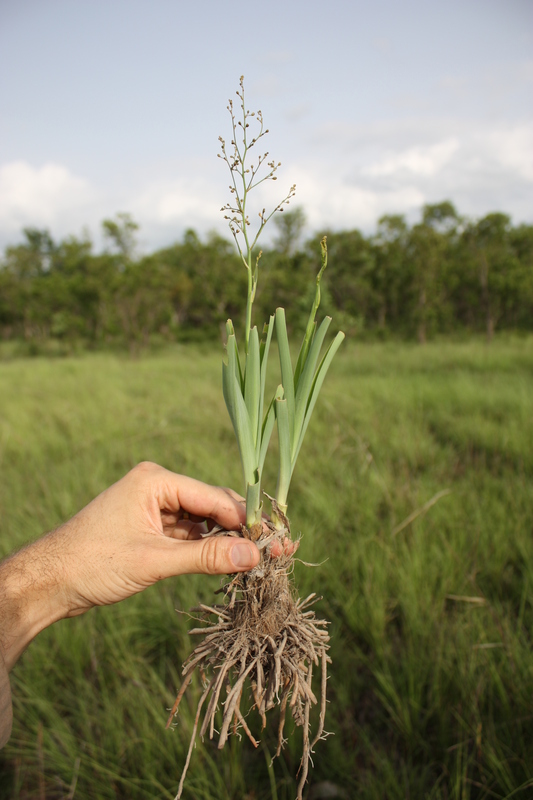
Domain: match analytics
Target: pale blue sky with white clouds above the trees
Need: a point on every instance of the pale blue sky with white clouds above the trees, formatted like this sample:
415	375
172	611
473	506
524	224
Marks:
374	108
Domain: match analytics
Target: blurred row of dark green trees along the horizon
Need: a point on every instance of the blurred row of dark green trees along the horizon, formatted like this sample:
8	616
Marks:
441	275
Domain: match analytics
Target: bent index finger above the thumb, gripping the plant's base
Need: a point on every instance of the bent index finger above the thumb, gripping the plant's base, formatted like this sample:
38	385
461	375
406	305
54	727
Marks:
179	491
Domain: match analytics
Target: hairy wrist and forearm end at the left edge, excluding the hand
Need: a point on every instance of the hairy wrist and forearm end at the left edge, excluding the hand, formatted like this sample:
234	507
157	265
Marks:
31	598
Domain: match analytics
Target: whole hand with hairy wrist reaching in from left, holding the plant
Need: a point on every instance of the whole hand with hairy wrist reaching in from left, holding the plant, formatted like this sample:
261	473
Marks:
129	537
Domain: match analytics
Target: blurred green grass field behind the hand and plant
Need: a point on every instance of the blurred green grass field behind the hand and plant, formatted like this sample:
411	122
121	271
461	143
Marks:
414	488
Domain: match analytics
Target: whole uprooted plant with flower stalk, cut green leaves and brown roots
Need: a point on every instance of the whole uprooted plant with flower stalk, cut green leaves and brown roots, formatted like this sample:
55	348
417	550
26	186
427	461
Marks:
261	635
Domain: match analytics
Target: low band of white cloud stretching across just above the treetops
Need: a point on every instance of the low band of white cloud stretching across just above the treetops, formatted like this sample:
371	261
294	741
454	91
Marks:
372	170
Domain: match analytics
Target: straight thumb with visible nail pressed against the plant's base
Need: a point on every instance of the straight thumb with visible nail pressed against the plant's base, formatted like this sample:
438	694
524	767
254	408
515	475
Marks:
219	555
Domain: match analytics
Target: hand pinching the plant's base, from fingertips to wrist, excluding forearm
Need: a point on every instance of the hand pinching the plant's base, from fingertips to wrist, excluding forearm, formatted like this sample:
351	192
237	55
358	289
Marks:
135	534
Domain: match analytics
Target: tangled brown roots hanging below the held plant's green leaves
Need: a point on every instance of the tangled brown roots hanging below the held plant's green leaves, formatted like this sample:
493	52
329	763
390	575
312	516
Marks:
260	636
